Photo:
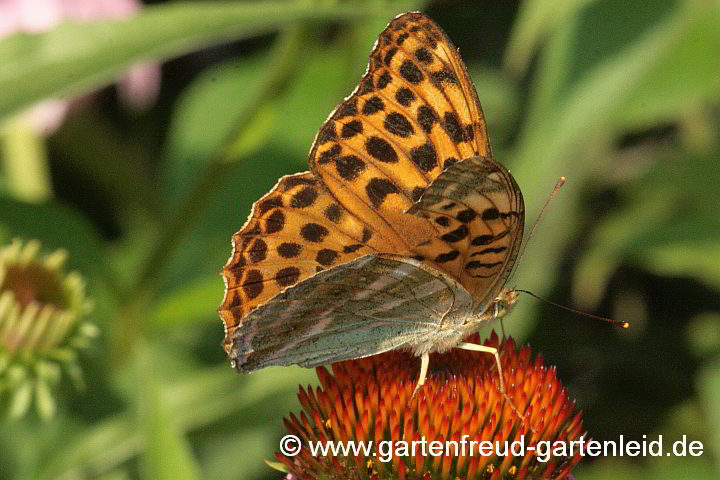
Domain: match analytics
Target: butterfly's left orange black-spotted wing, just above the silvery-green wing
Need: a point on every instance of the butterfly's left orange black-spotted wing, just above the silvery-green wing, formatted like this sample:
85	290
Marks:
293	232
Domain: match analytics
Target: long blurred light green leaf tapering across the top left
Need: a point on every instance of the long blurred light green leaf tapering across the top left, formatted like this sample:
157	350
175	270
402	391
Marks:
74	57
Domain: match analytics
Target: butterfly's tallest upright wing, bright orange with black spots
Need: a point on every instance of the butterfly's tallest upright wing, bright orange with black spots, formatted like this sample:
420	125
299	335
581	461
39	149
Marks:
414	113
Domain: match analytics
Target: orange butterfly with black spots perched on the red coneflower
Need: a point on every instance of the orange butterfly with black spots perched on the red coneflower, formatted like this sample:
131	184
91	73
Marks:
402	234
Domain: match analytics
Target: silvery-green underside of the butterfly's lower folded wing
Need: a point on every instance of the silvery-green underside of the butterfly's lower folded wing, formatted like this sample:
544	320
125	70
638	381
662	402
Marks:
370	305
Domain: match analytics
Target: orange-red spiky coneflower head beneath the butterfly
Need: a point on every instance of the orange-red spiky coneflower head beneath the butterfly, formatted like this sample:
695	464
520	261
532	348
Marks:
371	400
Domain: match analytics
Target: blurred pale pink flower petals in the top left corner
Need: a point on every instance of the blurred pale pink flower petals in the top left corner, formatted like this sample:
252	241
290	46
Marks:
138	89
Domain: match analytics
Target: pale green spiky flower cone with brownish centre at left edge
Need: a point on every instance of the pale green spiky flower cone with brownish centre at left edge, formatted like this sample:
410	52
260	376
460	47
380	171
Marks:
41	327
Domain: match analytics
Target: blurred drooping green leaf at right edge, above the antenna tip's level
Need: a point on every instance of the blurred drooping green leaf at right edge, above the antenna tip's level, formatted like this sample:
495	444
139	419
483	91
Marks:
669	224
